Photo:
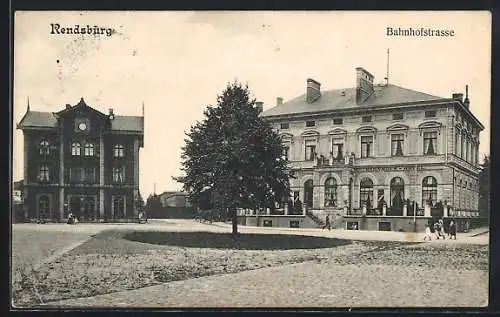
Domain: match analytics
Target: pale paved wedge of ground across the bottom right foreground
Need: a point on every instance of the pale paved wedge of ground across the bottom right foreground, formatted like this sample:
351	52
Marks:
330	283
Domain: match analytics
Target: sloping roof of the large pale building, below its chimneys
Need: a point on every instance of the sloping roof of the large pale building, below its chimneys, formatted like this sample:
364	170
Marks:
346	99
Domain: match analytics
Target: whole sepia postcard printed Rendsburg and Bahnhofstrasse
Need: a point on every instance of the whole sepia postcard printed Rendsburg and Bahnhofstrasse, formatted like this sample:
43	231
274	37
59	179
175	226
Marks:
266	159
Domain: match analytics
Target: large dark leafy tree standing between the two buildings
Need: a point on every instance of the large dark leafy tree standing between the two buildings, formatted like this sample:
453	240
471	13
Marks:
233	159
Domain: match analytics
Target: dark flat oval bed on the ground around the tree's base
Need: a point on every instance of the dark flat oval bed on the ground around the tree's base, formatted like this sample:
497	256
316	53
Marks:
228	241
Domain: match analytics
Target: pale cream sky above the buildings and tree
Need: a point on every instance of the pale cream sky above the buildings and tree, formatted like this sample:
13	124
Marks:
176	63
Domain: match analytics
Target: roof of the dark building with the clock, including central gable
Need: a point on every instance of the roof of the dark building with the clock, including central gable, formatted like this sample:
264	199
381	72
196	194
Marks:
48	120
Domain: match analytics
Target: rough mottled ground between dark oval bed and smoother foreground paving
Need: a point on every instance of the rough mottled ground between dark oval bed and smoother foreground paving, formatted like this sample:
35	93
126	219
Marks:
110	263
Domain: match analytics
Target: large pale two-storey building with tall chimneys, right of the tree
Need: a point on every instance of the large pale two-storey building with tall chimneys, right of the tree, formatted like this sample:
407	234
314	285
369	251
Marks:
378	157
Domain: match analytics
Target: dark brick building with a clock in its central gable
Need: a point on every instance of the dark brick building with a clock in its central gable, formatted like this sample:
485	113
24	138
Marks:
81	161
